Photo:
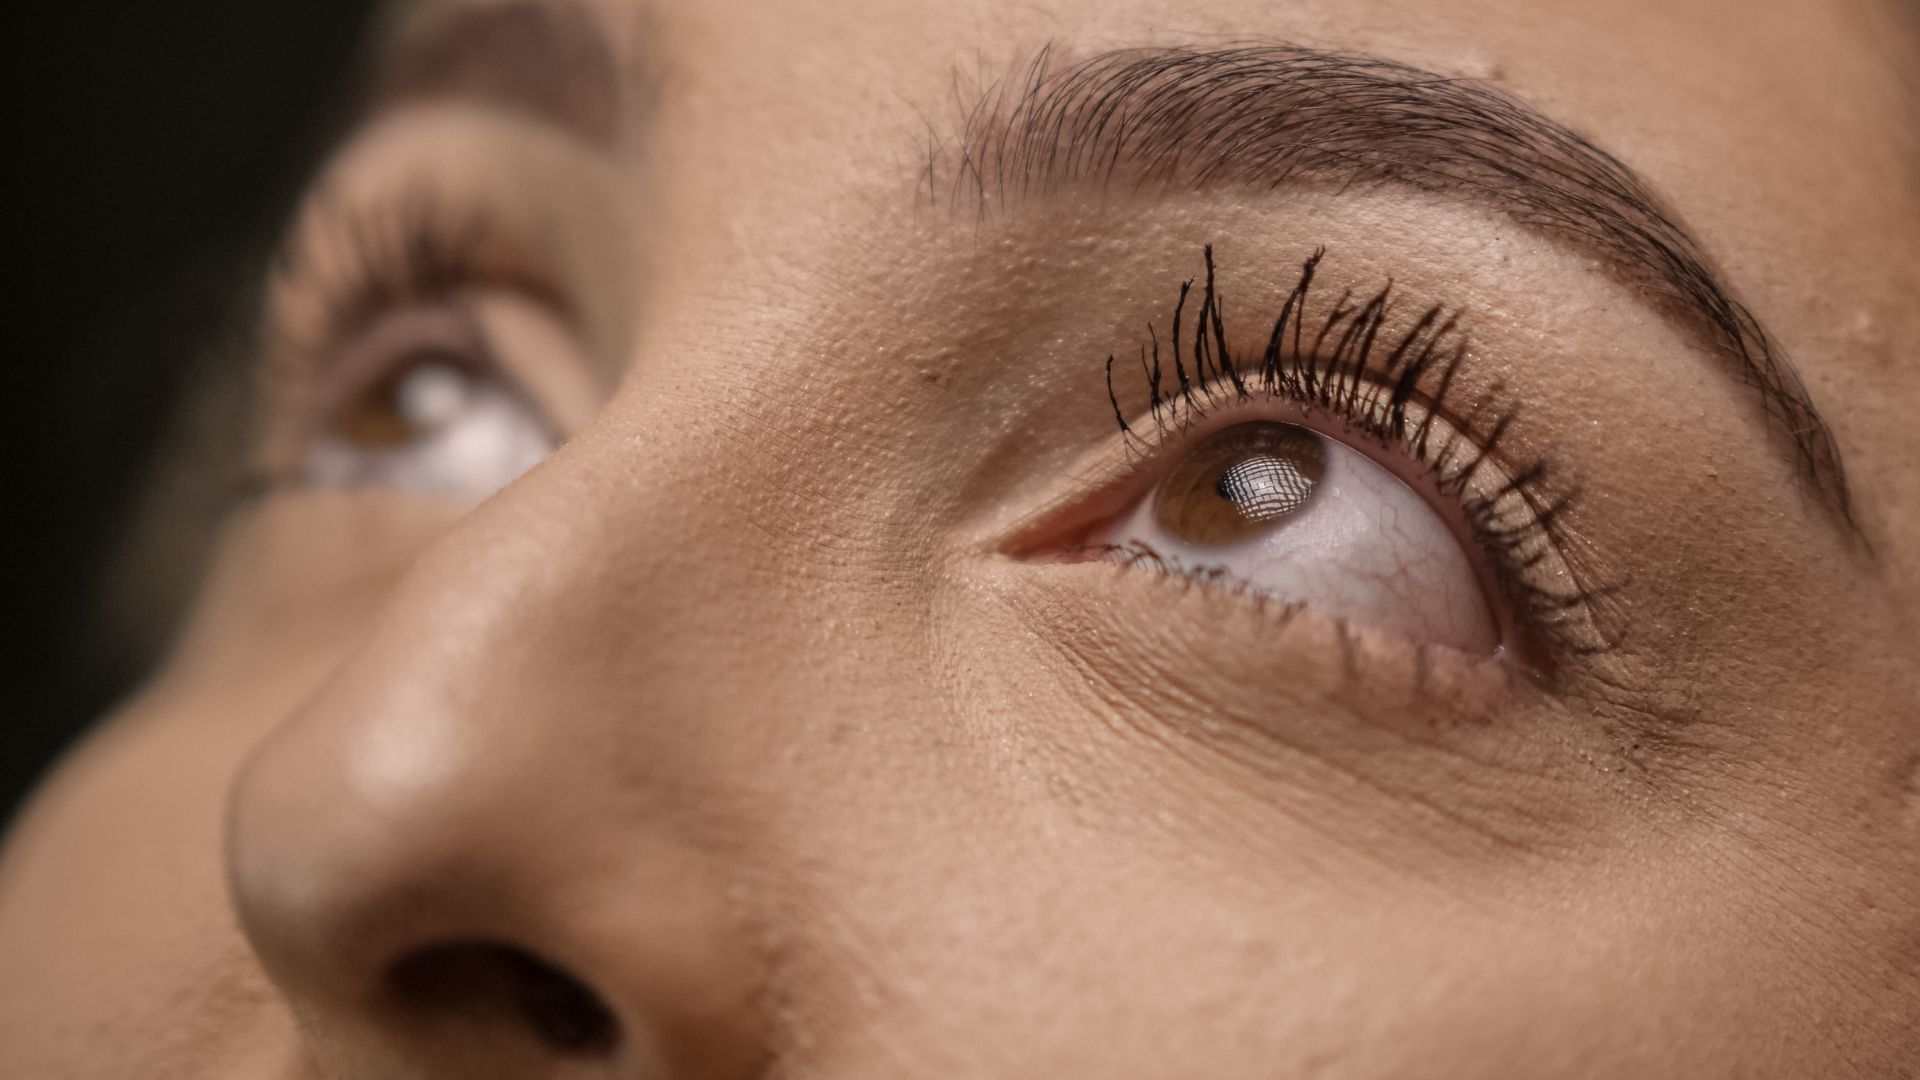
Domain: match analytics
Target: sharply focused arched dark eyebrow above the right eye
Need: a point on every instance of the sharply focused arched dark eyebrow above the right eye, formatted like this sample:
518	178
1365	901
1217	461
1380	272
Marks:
1272	116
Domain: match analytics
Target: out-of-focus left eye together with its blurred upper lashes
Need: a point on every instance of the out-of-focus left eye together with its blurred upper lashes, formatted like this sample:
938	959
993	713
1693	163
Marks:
429	347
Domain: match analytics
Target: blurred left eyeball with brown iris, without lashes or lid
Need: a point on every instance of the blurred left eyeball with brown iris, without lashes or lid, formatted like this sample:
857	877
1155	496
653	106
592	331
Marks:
425	408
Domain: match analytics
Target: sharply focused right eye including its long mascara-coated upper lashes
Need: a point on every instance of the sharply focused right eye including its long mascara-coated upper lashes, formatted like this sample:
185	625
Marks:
1335	472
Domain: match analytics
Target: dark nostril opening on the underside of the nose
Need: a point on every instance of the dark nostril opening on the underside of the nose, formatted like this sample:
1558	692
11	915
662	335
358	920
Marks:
502	987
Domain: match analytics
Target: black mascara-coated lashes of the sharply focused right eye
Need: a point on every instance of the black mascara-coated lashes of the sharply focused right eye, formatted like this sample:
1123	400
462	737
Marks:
1368	383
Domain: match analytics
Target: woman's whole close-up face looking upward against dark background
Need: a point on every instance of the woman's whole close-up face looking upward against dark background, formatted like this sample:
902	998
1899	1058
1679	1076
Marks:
804	712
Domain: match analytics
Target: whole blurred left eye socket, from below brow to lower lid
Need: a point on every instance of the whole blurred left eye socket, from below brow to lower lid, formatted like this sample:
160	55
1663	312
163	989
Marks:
431	328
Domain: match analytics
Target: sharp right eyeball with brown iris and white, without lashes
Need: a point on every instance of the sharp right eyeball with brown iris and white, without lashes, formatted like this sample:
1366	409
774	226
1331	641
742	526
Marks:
1297	516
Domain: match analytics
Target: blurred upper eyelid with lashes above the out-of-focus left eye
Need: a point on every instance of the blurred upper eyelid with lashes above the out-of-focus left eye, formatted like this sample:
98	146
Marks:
402	214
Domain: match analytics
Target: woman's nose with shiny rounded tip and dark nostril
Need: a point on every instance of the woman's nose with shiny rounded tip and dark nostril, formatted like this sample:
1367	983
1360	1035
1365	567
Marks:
425	862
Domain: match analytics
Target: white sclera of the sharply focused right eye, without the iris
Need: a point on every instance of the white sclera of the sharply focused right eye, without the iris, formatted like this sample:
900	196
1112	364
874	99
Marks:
1364	549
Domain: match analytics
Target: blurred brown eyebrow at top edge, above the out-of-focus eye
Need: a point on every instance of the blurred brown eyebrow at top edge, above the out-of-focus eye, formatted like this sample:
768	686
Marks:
556	61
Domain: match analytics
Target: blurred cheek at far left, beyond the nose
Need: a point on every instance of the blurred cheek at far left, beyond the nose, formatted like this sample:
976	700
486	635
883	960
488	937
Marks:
112	895
